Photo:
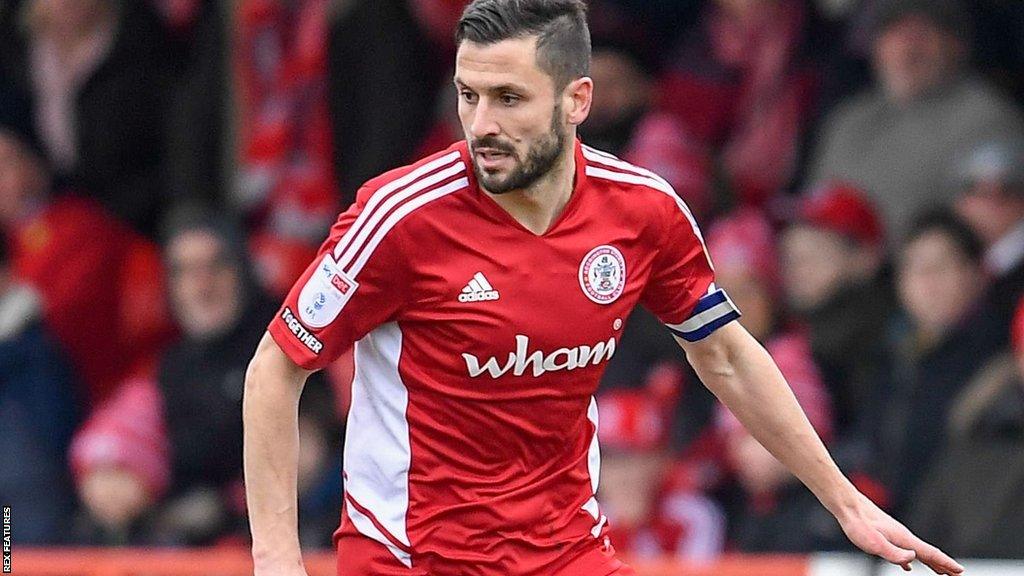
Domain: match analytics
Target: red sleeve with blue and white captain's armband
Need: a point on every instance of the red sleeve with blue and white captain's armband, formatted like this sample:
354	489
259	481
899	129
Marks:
681	290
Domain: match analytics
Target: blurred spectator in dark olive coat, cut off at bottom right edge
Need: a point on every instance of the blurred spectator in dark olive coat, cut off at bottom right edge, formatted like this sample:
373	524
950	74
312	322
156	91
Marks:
971	503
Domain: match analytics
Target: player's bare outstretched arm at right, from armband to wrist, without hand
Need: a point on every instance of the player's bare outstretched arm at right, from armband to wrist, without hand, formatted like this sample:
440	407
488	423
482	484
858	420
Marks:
745	378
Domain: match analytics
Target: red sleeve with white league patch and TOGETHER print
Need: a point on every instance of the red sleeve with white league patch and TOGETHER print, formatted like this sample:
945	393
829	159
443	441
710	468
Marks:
353	286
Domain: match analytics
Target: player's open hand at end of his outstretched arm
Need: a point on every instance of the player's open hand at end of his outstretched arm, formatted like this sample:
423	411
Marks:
877	533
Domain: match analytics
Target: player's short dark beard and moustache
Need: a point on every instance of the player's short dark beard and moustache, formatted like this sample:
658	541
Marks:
541	158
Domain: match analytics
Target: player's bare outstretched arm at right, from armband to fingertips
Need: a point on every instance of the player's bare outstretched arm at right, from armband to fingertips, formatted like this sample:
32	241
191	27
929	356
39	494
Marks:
745	378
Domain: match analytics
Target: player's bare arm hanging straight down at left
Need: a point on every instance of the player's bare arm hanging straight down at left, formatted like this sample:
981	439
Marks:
270	413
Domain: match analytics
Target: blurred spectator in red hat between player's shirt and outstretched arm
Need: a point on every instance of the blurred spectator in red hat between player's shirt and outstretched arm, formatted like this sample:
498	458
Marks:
654	504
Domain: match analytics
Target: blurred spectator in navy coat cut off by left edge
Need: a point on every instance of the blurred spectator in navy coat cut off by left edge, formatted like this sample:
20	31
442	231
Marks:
38	413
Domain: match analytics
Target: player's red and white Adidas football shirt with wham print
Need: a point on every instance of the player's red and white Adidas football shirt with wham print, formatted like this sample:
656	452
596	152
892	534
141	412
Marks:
472	443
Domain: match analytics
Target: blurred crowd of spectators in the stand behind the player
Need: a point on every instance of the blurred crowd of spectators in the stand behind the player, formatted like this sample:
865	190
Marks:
169	168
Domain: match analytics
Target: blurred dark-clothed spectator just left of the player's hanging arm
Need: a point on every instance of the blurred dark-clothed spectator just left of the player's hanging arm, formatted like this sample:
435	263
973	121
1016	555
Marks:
223	316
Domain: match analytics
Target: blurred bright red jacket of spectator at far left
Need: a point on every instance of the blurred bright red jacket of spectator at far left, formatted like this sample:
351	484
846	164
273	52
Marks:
102	285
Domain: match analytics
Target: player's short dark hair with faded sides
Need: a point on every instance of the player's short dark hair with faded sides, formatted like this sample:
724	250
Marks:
564	38
